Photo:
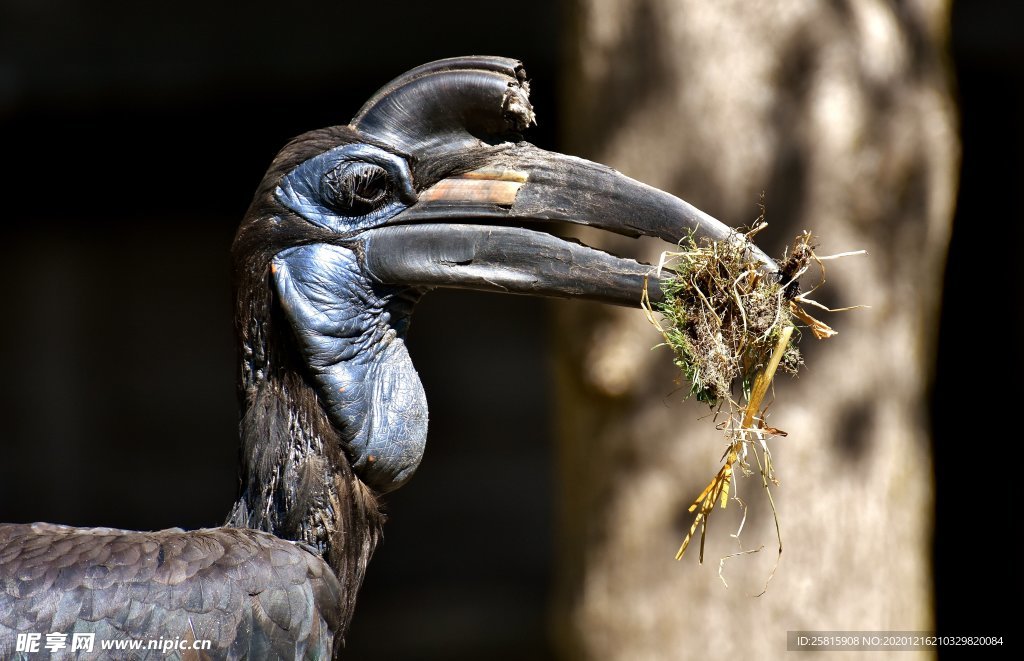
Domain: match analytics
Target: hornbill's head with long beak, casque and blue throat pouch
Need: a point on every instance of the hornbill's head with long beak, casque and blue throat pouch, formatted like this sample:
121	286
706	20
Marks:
430	186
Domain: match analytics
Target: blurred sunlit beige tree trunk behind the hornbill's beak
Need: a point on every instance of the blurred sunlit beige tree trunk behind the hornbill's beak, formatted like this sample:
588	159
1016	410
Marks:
840	113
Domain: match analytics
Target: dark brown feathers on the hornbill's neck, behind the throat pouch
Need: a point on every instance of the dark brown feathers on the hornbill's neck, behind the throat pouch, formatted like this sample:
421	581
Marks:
296	481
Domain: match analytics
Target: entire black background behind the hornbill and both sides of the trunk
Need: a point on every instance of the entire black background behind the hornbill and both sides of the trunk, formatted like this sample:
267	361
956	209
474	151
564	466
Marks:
133	139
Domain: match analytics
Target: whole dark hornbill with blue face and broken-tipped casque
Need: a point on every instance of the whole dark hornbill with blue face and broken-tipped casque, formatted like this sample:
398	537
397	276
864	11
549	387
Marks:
430	186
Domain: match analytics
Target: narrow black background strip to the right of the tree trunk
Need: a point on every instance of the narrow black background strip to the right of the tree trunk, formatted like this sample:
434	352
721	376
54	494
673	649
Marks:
980	360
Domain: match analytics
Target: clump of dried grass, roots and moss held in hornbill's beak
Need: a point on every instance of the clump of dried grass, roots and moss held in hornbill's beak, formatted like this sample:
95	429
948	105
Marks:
730	322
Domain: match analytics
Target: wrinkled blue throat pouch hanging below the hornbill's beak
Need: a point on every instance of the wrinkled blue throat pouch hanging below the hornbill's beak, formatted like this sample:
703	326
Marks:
353	336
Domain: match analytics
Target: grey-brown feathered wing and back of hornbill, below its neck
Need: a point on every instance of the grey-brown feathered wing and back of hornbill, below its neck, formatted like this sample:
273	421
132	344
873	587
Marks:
250	594
